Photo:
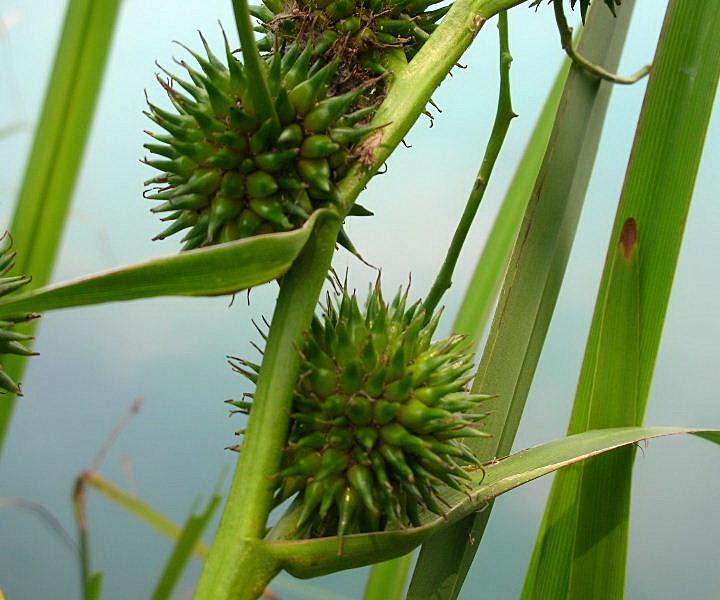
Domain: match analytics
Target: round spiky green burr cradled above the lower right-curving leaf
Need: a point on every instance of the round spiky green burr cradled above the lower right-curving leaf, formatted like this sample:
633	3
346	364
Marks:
379	416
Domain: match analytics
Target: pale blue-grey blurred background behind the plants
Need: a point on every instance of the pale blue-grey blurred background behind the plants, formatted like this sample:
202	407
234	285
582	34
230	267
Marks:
171	351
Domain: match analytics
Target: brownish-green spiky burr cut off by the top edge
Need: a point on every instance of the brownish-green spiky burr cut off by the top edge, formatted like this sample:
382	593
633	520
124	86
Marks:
358	32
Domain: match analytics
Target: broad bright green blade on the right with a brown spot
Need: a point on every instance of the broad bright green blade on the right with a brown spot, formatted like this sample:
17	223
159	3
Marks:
582	544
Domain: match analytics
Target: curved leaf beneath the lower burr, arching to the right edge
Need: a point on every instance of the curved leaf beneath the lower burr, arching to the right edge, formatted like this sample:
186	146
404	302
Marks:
311	558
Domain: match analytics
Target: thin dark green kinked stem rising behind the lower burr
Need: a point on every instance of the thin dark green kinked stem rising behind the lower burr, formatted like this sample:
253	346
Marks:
503	116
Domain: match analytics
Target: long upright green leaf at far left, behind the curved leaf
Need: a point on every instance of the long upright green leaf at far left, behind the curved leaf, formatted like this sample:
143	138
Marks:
58	149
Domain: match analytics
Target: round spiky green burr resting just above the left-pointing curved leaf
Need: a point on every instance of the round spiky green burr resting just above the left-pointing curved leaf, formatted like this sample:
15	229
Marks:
229	174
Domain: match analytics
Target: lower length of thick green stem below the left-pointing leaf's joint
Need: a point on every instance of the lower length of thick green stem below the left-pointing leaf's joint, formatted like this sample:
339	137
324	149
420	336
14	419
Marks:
250	498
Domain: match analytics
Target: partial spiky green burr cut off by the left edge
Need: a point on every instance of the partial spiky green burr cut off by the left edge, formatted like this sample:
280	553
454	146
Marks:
11	342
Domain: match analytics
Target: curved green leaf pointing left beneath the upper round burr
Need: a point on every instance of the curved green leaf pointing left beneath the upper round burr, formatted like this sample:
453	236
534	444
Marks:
223	269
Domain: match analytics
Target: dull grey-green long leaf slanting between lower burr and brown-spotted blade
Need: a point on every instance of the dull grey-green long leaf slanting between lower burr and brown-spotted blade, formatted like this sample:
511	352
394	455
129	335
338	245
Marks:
531	286
